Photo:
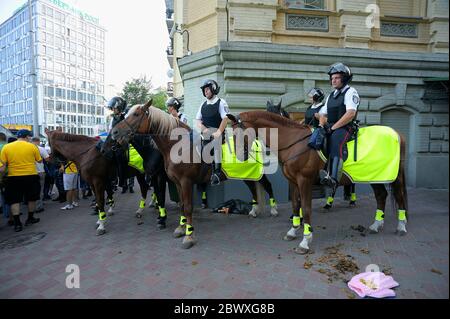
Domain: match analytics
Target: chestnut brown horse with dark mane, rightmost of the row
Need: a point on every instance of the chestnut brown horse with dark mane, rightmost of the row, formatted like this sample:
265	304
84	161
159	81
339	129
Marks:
301	165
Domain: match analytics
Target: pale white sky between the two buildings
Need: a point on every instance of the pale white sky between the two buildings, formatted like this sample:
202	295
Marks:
136	38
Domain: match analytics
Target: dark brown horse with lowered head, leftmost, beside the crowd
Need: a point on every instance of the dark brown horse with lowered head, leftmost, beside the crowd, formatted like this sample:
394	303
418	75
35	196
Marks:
94	168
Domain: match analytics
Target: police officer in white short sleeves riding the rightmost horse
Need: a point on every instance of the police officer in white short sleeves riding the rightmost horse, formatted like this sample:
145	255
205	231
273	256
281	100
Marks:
336	116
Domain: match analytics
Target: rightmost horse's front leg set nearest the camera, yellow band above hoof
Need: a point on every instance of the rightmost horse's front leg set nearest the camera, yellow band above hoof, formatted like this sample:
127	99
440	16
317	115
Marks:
305	189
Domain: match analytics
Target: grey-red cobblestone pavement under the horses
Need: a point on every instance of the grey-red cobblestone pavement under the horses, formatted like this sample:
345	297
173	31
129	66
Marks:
236	256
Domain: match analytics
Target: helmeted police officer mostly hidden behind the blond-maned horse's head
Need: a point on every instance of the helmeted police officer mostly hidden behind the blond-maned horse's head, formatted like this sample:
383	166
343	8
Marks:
119	106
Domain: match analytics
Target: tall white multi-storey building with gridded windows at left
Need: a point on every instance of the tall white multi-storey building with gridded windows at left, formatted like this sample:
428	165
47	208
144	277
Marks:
69	56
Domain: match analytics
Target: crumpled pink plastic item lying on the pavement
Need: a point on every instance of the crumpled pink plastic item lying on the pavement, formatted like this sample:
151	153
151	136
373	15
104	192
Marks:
373	284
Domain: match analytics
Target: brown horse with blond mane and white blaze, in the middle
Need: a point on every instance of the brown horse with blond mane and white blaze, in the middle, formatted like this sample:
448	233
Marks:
144	119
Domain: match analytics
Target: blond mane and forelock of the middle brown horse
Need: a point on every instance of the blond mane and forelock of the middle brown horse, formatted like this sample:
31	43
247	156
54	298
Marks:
161	122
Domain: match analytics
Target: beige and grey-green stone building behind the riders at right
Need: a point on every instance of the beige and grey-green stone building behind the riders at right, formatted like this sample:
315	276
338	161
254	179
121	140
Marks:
279	49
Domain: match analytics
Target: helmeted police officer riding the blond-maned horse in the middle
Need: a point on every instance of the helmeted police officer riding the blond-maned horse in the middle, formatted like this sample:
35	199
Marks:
212	120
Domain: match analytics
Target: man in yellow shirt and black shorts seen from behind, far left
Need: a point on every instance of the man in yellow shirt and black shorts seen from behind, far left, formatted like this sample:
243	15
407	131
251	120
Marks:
19	159
